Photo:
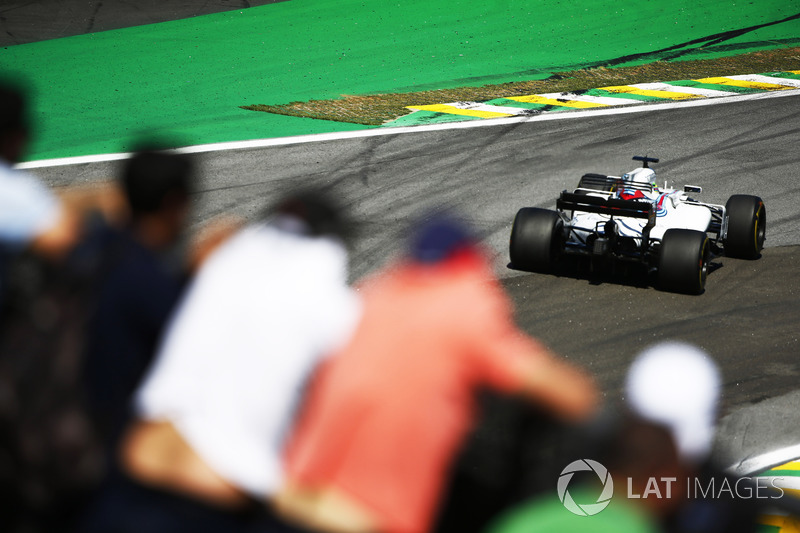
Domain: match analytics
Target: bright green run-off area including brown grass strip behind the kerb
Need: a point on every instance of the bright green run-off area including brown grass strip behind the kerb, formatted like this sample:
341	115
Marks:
189	79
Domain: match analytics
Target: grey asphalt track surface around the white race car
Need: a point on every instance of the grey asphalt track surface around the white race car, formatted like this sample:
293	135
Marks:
747	319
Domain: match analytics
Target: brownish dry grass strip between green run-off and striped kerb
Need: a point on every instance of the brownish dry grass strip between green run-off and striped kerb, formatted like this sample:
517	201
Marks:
378	109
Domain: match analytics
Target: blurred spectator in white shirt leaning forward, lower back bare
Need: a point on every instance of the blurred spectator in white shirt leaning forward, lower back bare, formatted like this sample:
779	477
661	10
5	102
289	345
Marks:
205	451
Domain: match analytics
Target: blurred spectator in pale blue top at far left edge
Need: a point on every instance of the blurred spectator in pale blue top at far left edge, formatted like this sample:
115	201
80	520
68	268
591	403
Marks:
49	453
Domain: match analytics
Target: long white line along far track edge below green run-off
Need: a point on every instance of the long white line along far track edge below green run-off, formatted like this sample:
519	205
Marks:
378	132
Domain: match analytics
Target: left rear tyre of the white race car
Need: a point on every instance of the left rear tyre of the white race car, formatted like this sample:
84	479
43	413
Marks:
536	239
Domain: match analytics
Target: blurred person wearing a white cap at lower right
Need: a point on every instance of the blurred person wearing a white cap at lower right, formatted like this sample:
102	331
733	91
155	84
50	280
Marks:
678	386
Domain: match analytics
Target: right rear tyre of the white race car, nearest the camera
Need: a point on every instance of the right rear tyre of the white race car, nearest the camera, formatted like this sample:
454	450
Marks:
683	261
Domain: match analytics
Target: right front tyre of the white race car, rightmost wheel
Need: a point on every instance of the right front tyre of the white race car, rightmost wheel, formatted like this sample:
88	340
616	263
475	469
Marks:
747	226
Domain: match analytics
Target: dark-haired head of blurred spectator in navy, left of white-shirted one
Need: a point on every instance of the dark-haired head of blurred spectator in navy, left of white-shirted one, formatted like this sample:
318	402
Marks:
152	177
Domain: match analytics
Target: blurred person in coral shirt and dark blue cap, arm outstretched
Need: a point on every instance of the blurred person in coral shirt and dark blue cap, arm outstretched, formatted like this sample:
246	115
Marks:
389	412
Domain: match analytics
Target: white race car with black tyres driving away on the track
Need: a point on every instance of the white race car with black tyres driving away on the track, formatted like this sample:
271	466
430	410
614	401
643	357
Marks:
629	218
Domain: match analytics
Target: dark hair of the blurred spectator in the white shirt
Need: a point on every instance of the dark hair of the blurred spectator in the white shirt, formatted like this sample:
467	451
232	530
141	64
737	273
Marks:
320	214
